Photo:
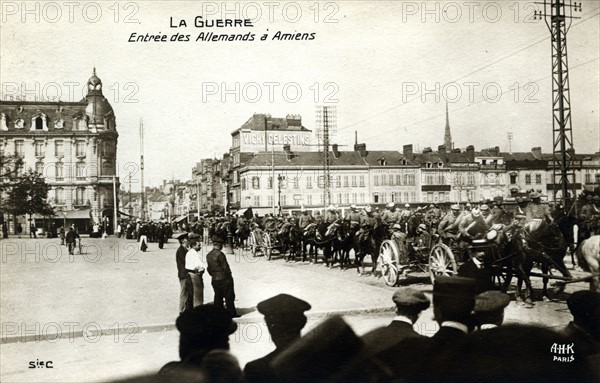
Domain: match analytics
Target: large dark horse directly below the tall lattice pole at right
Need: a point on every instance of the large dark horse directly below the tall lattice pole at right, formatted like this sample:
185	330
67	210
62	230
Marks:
543	243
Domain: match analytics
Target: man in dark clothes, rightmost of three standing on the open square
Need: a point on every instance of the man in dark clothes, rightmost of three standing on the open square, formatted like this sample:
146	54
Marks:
222	279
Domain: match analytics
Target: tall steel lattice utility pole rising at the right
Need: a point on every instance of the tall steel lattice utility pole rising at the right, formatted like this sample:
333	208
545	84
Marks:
563	164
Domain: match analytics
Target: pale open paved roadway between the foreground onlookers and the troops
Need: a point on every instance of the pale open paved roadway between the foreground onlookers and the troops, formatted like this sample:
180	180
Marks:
109	312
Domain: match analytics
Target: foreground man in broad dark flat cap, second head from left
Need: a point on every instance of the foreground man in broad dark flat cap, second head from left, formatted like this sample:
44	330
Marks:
285	319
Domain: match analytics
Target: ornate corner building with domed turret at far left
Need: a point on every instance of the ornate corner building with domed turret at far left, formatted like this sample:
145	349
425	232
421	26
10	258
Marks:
74	146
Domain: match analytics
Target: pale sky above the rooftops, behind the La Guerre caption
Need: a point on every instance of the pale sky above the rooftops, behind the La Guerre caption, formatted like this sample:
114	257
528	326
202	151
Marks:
388	67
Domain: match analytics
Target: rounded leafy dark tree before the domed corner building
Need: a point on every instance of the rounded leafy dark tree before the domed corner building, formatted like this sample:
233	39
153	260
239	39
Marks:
28	195
